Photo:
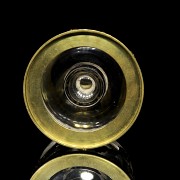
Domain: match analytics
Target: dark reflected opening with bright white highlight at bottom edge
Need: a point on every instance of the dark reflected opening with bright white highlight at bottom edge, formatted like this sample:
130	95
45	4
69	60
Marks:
80	173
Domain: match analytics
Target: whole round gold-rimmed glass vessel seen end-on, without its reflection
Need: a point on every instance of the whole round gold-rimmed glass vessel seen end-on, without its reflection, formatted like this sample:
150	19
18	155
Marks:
83	88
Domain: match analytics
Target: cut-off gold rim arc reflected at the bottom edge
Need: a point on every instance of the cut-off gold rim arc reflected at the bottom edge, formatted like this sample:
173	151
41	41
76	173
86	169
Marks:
55	165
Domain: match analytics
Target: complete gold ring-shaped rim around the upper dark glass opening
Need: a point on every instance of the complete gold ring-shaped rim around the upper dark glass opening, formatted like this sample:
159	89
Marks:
44	120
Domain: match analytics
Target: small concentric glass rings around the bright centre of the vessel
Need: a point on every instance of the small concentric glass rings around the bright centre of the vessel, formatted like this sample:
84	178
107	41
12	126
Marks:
85	84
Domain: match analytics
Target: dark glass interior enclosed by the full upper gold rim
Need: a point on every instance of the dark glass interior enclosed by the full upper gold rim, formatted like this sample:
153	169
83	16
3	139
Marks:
81	91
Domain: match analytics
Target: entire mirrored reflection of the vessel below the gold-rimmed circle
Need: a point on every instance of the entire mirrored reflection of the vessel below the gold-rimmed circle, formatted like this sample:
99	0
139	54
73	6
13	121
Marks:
109	162
